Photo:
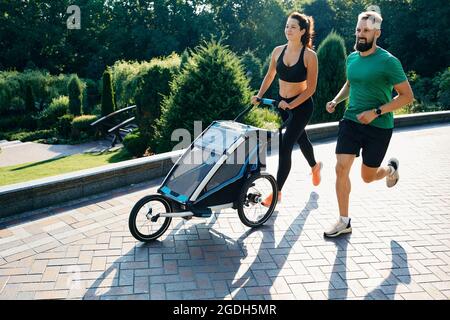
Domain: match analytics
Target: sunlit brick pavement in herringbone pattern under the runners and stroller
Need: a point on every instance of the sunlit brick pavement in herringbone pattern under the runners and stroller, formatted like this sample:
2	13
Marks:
399	249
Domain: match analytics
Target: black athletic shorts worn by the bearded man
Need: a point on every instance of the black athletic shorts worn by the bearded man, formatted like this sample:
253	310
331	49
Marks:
373	141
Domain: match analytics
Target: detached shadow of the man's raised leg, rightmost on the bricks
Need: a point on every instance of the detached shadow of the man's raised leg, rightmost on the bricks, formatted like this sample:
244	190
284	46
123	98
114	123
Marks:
399	274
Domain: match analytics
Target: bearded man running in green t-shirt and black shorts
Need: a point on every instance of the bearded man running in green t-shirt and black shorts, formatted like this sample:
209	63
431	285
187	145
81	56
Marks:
367	125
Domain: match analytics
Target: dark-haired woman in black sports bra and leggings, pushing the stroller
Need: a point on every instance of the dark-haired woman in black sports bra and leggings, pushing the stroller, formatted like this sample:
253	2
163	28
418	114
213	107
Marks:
296	66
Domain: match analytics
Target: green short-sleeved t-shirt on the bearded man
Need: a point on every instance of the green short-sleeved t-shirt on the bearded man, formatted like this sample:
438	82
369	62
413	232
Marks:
372	79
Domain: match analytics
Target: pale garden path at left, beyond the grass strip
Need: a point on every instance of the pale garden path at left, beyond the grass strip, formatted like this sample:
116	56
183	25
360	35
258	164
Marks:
18	152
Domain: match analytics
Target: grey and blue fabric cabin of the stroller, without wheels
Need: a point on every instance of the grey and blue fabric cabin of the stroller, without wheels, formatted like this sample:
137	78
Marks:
215	159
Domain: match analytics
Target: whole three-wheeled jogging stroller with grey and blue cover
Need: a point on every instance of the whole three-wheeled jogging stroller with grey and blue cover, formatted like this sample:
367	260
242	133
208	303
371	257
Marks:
223	168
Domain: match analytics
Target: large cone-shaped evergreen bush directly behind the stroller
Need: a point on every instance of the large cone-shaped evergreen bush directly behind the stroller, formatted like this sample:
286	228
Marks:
211	86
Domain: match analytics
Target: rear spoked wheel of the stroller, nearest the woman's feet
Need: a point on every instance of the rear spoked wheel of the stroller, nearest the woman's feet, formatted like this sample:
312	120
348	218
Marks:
250	209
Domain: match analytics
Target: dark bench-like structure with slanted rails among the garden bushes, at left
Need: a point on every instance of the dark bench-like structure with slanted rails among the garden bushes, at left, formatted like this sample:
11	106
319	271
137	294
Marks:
116	124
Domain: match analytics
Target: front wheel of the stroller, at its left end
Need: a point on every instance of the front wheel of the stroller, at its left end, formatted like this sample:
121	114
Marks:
144	223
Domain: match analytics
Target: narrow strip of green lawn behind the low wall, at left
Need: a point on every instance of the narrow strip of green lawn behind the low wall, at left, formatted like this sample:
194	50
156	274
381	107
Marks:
36	170
